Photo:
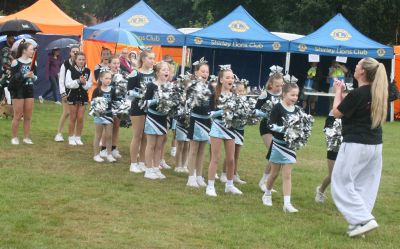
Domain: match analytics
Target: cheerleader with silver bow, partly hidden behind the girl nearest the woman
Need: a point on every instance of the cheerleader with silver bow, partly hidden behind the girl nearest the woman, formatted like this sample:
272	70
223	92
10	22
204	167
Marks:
273	94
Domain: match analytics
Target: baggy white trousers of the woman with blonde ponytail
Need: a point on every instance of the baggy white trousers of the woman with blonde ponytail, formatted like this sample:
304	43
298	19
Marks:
355	180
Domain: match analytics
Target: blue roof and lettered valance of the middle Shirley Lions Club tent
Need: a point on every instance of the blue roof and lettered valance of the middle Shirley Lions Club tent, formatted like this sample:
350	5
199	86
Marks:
238	30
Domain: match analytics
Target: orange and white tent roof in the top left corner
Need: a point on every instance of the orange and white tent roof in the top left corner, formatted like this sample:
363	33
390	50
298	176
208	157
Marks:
49	18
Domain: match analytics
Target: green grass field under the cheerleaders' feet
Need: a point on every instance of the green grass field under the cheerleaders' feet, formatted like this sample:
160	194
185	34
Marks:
55	196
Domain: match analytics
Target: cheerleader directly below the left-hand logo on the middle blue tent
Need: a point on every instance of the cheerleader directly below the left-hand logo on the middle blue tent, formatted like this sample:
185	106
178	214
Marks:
198	133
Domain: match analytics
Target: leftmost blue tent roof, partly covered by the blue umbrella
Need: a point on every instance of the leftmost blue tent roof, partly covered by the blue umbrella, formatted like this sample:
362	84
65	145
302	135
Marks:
145	23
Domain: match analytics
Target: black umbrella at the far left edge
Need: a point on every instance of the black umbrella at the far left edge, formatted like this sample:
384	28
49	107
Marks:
17	27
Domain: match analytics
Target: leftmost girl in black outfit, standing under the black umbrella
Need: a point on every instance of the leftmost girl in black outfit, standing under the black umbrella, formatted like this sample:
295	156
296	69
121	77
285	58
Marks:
21	88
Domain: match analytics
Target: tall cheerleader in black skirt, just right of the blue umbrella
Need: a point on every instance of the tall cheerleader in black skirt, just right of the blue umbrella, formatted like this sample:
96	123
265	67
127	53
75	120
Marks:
137	81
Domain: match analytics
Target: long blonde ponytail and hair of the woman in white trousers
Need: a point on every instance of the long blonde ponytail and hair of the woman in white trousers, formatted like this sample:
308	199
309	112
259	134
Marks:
376	75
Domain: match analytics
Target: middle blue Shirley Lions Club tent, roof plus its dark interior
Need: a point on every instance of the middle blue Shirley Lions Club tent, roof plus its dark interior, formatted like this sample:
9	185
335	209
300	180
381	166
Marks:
238	39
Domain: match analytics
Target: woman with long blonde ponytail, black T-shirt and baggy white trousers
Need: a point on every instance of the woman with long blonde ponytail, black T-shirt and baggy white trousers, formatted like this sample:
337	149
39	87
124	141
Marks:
357	171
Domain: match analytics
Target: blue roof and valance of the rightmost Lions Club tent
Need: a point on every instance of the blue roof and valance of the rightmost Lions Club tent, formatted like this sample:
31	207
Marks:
339	38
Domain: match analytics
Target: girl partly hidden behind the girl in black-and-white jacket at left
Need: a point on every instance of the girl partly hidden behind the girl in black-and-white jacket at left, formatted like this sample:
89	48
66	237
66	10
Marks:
64	92
